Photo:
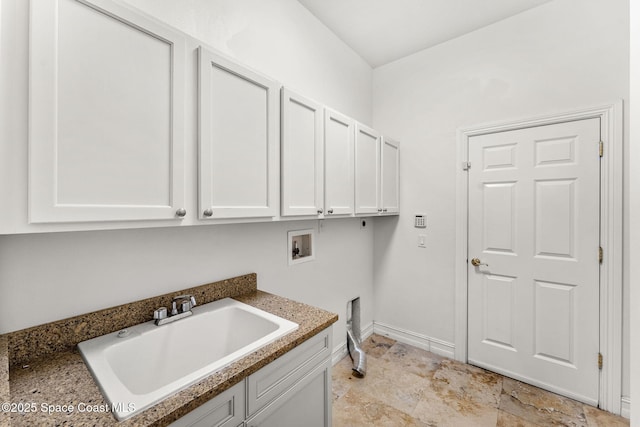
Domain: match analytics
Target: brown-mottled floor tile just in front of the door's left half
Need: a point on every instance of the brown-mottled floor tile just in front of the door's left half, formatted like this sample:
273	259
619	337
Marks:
465	382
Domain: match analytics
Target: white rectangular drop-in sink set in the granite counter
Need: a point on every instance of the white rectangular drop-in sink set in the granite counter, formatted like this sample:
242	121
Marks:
152	362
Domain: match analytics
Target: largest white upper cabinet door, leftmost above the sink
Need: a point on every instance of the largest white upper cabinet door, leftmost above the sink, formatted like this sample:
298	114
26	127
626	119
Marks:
106	113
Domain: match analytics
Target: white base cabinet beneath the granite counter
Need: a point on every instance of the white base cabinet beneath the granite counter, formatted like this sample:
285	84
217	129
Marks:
293	390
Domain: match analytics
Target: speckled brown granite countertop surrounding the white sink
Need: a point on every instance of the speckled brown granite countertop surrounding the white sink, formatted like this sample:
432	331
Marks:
61	377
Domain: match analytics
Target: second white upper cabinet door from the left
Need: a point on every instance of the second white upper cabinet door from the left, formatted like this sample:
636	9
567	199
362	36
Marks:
238	140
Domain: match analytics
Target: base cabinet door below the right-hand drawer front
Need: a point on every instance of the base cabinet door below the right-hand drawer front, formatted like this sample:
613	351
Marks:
307	404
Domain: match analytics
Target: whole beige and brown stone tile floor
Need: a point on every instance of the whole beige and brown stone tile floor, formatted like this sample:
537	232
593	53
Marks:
406	386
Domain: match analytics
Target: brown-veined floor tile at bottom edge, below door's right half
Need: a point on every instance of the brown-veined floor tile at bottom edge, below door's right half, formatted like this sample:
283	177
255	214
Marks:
539	406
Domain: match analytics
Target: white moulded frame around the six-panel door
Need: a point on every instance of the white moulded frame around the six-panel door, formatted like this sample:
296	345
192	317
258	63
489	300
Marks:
611	217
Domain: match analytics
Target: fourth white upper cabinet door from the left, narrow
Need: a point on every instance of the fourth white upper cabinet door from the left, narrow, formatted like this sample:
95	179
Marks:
338	163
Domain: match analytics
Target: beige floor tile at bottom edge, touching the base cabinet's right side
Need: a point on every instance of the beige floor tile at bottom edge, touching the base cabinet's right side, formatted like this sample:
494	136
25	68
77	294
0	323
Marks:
359	409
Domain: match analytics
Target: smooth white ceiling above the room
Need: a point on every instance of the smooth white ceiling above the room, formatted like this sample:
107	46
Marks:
382	31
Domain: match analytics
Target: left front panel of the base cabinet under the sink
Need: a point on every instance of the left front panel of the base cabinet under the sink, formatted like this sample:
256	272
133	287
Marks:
224	410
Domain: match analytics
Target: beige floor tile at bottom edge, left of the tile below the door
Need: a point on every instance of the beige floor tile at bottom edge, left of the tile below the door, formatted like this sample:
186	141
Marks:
449	411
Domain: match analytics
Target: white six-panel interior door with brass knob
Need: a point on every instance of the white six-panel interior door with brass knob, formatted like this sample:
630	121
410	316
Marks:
534	221
